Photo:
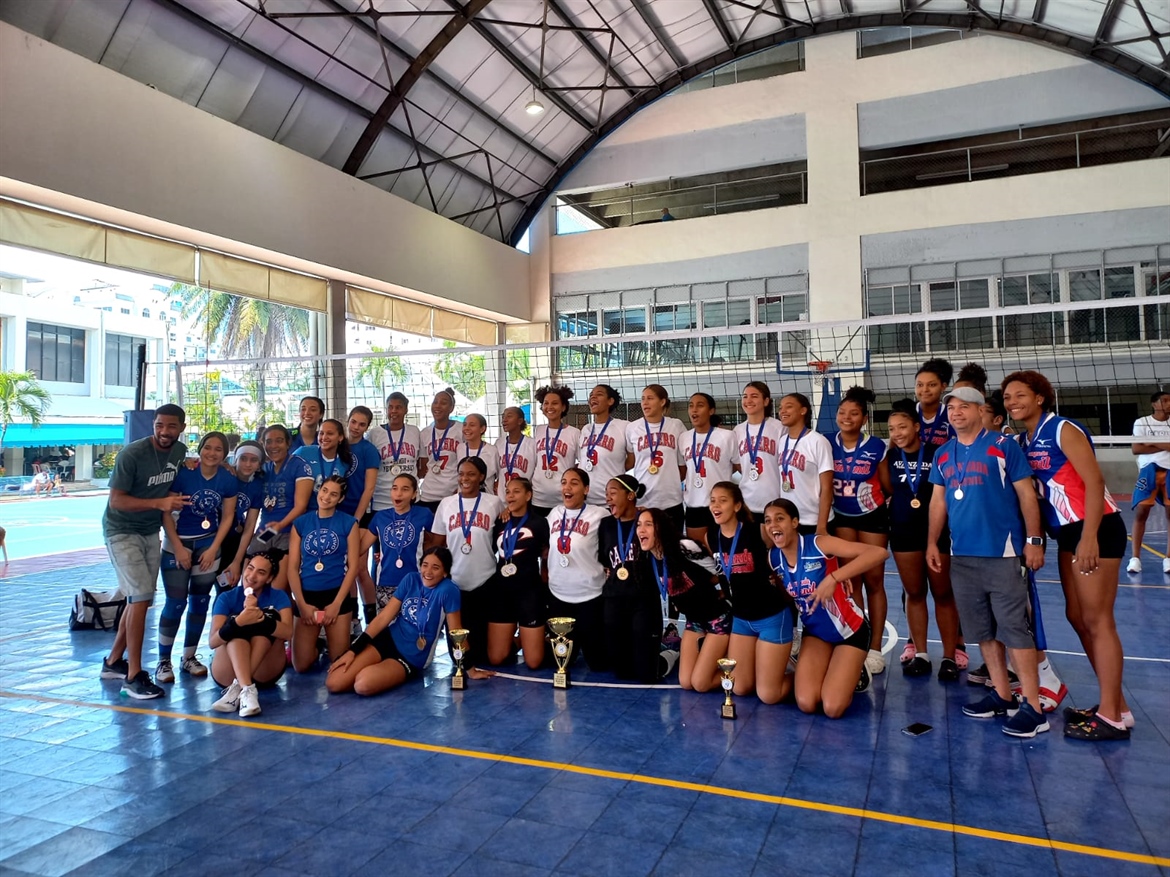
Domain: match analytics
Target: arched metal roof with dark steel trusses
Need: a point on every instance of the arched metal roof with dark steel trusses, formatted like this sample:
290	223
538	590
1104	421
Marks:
426	99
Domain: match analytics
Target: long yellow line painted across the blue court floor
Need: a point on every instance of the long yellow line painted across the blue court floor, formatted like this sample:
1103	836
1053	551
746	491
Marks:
779	800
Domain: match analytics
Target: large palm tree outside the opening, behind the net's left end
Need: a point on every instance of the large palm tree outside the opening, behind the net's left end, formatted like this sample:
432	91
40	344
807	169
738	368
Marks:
246	329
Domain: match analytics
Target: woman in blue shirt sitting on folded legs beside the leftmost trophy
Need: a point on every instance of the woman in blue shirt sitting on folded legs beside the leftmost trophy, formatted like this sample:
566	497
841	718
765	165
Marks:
387	655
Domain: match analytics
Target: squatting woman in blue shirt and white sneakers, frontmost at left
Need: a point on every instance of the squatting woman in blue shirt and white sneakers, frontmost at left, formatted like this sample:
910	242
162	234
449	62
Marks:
250	627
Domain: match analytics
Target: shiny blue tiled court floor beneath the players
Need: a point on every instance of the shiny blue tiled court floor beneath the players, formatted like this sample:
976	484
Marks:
513	778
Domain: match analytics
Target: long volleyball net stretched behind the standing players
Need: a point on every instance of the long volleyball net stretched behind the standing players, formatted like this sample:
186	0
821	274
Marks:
1105	358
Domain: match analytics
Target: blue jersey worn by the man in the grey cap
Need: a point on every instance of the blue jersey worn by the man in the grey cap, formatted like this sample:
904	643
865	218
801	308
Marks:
986	522
